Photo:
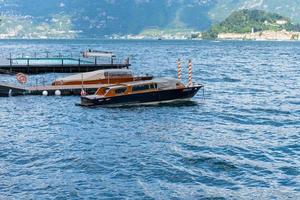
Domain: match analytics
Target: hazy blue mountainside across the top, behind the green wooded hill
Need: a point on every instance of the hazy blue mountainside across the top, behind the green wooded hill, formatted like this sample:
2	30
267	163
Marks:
97	18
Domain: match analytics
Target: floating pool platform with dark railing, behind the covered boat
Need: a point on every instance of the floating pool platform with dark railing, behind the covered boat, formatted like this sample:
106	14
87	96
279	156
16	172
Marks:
60	64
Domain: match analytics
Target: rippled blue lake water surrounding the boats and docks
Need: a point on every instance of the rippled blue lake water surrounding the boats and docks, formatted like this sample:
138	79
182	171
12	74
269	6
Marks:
241	142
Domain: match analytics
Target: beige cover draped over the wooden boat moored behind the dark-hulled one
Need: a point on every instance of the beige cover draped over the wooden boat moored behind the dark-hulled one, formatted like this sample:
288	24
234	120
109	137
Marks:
97	75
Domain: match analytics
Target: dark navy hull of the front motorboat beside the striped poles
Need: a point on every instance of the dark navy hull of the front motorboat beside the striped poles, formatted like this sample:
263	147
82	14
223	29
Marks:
141	98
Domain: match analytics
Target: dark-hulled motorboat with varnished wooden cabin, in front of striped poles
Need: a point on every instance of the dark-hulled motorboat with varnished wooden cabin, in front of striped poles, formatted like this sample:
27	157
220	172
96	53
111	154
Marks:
141	92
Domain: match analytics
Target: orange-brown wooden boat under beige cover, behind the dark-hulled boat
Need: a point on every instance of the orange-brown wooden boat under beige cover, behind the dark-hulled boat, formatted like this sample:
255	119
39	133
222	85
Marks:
107	76
